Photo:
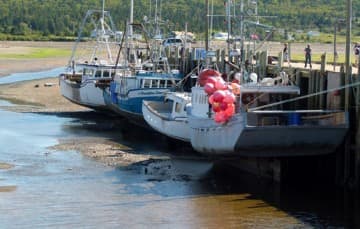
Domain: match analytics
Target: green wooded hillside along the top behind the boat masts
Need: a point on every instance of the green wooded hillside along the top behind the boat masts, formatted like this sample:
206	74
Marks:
52	18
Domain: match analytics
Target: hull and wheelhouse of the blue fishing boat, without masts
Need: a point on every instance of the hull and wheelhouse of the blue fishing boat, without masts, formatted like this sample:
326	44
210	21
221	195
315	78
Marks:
127	91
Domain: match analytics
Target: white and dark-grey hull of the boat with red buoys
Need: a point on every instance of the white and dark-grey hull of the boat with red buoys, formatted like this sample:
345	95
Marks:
235	138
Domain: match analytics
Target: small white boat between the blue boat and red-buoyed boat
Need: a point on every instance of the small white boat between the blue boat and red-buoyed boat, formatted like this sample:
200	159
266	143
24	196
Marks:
169	117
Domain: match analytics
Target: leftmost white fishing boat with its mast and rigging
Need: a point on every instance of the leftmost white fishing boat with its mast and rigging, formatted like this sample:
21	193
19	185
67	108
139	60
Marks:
92	61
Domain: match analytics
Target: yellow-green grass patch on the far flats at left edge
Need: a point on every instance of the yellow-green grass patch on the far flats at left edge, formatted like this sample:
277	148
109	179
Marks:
36	53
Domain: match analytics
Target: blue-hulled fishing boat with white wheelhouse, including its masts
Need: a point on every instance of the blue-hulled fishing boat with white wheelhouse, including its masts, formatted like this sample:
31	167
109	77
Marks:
150	81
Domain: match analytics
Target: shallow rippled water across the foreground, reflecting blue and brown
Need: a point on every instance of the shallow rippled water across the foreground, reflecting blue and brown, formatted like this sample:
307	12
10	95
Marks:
45	188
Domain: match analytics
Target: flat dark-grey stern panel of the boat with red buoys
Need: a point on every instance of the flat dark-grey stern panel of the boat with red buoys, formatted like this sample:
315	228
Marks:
289	141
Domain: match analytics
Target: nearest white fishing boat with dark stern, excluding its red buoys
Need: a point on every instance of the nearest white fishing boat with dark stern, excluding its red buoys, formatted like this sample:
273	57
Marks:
266	122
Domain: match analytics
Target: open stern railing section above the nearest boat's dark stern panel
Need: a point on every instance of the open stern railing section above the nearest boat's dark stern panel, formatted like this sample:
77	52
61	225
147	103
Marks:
319	118
